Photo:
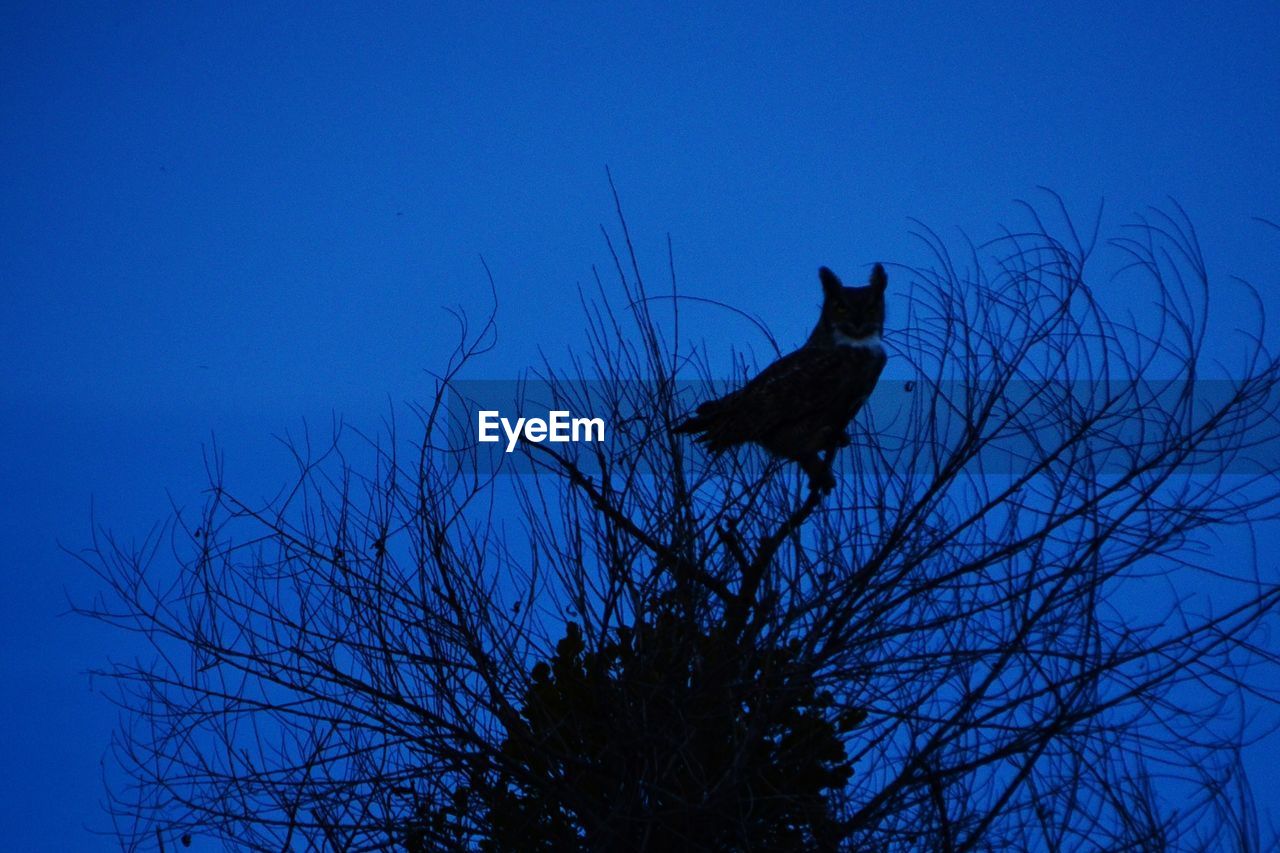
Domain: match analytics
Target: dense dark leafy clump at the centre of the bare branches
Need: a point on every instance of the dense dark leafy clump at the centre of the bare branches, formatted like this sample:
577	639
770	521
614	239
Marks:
673	737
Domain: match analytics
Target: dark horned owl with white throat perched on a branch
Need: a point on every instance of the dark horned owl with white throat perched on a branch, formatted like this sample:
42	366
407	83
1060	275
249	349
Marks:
799	407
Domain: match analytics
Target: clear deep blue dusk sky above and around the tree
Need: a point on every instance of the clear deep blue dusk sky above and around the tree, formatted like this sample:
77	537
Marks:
225	218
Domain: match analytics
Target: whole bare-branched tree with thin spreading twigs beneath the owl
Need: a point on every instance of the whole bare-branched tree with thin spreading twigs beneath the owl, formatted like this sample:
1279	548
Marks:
1011	627
